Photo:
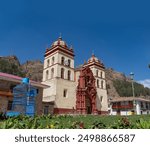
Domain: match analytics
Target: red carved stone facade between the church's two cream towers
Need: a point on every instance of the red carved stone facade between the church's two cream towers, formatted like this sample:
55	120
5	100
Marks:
86	93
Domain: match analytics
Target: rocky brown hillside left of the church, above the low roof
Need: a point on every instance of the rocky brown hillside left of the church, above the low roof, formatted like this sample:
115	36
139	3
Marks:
31	69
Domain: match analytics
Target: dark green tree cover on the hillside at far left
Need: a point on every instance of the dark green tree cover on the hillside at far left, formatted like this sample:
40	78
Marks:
11	68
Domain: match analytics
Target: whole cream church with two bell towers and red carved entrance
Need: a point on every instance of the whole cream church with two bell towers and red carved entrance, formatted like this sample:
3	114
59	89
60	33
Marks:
73	90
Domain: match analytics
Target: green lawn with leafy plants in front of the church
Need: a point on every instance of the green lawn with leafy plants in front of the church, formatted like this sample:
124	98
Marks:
77	121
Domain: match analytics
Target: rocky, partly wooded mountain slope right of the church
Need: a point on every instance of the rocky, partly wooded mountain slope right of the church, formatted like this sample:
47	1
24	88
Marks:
119	85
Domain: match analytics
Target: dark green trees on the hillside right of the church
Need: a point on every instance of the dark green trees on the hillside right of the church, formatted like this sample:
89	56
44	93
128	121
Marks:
124	89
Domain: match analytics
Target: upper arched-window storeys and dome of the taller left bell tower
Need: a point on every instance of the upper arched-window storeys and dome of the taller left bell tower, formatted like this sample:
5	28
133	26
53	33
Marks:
59	61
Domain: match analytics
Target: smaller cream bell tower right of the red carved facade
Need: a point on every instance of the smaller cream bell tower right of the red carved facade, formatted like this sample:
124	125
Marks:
98	70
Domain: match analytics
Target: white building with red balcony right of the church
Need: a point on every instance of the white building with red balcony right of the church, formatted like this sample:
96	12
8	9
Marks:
129	106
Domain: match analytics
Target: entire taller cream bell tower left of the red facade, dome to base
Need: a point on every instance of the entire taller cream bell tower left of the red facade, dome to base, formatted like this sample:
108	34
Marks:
58	73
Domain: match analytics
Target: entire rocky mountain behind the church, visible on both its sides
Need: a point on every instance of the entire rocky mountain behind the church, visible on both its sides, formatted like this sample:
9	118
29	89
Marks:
118	85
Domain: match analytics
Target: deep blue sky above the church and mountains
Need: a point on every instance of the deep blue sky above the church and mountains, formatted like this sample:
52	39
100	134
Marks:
117	30
